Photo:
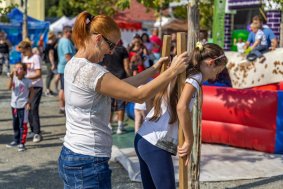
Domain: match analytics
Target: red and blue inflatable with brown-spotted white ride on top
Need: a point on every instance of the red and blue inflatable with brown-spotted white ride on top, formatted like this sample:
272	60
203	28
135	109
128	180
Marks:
245	114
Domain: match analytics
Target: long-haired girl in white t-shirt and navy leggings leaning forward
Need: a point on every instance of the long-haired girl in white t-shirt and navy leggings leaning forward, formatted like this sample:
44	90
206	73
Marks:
157	139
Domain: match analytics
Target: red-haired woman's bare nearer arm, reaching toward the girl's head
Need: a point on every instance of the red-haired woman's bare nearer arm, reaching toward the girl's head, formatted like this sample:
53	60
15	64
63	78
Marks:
111	86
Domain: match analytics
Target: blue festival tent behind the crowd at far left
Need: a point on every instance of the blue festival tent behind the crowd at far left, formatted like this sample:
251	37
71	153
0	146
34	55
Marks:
36	29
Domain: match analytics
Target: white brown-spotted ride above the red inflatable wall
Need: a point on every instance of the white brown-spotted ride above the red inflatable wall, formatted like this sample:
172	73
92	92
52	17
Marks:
245	74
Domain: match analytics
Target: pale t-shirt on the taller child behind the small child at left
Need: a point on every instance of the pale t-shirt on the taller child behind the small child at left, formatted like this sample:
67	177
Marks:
33	63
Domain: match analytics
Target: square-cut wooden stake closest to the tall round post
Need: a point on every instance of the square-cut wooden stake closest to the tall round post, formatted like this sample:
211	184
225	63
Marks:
183	171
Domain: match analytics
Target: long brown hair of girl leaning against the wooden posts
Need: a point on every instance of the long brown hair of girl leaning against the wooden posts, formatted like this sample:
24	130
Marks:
209	50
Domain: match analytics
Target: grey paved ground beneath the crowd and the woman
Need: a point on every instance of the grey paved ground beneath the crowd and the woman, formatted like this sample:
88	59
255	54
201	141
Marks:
36	168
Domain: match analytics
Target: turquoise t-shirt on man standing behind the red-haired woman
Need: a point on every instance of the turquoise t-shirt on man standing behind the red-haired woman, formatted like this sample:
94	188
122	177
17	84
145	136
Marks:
65	46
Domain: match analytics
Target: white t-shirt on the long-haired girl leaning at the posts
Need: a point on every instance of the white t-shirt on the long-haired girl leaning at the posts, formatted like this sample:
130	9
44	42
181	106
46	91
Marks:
161	133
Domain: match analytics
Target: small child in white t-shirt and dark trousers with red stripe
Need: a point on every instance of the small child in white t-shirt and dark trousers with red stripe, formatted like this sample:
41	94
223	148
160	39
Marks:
21	96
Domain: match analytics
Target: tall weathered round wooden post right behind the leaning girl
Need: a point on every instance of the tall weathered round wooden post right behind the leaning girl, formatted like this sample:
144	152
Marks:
193	30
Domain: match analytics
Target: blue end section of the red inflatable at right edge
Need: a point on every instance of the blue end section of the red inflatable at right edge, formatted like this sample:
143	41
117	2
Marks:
279	125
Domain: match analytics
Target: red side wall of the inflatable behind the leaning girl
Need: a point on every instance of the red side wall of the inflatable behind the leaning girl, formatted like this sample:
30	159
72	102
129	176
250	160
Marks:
242	118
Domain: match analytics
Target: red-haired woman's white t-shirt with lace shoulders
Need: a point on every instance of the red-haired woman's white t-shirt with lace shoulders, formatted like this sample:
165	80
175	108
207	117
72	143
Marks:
87	111
